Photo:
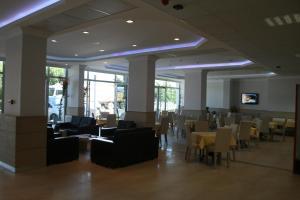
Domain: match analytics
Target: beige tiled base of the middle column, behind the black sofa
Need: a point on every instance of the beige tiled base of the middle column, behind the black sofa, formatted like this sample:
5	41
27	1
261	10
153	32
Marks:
142	119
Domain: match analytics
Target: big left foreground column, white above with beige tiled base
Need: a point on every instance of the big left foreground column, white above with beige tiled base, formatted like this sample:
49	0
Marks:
23	125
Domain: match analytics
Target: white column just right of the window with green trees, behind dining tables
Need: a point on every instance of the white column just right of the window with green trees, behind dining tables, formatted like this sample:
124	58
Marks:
195	92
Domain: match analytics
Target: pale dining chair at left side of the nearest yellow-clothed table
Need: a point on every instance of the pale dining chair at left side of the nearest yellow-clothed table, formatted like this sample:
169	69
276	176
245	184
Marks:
191	143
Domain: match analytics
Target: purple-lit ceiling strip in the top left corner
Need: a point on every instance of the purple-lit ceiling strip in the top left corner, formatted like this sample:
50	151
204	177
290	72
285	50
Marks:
26	12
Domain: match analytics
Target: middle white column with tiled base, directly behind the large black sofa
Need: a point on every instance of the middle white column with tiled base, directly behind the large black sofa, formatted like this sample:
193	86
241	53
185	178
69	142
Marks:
140	101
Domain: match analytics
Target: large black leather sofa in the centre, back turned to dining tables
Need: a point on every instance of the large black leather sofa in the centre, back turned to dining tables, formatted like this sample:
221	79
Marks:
125	148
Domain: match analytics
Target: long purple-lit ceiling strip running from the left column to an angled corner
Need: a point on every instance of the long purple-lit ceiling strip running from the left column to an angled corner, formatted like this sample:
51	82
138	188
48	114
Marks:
133	52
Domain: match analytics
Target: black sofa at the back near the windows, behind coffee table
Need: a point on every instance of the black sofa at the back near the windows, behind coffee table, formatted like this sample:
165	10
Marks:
78	125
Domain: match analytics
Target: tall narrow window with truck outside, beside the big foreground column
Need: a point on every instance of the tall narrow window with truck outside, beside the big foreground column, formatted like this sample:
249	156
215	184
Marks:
57	90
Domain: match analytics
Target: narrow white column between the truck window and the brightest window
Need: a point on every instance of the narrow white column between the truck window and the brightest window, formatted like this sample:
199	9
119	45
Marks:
75	104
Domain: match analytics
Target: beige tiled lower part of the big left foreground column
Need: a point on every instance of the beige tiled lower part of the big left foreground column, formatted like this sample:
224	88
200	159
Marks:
24	142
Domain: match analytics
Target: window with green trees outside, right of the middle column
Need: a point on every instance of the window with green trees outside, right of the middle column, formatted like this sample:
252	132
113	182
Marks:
167	96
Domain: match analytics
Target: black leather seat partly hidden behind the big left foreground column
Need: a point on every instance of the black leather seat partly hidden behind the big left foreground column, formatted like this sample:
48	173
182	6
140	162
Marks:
61	149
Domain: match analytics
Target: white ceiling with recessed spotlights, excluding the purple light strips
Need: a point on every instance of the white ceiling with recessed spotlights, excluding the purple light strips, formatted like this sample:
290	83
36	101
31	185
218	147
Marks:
235	30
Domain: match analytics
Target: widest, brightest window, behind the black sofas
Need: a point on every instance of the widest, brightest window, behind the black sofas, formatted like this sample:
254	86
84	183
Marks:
105	93
